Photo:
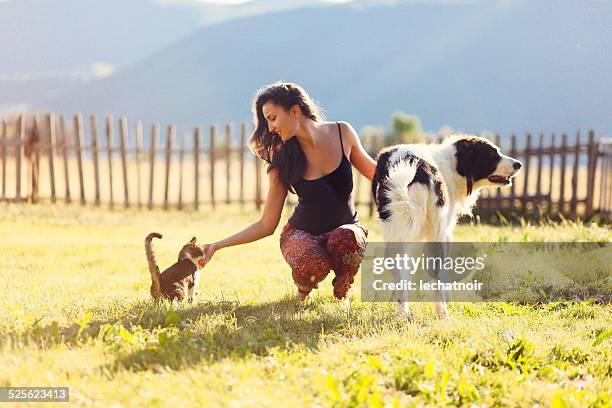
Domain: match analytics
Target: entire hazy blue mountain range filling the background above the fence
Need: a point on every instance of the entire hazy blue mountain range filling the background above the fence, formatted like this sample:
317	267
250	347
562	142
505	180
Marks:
507	66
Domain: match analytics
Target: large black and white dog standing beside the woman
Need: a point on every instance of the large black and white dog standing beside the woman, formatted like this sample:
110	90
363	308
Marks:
420	190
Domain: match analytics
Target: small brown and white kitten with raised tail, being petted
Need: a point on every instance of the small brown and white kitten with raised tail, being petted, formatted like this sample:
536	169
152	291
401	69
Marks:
179	280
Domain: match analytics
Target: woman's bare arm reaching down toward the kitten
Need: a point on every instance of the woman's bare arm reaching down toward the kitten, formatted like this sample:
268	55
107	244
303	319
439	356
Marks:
266	225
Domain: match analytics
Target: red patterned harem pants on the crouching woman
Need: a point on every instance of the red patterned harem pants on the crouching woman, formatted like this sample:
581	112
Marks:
312	256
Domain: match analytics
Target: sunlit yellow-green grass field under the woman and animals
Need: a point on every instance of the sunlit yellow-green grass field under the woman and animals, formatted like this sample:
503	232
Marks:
75	312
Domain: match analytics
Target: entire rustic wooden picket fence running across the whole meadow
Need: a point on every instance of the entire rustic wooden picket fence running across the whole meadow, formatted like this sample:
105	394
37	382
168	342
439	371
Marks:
559	175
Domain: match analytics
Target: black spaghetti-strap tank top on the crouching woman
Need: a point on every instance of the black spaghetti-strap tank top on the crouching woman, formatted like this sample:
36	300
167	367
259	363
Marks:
327	202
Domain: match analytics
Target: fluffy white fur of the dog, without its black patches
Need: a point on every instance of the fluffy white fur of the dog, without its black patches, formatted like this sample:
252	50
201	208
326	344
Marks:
415	216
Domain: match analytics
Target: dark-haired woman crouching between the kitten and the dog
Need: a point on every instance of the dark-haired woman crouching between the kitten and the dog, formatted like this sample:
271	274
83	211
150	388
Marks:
303	153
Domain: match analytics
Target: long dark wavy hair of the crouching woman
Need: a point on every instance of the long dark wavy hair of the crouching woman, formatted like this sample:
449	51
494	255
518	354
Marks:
287	157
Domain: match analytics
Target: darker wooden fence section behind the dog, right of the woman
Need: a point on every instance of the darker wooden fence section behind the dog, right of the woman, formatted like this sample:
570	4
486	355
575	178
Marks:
559	177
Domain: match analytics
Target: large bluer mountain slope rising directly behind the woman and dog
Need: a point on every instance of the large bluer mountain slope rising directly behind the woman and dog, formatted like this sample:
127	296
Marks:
499	66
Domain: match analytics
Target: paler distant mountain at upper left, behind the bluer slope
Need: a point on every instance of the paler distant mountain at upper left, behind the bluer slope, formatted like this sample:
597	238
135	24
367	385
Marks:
48	48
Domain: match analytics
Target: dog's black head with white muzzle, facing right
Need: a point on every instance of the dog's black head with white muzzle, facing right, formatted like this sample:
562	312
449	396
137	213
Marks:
482	163
